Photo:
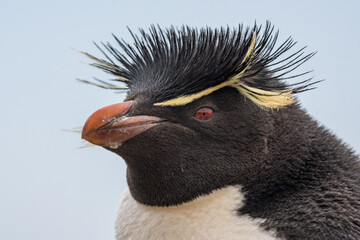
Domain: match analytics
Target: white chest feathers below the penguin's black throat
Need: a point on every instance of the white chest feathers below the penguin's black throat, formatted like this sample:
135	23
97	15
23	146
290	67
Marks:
210	217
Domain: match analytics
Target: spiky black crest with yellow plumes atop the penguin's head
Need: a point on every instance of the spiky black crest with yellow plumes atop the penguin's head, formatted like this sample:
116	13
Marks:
175	63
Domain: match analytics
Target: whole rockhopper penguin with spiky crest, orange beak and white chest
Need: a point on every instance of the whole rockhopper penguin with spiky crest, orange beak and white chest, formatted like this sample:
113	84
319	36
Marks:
216	145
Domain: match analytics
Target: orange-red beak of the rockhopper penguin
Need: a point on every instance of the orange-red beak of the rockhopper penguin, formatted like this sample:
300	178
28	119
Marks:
110	127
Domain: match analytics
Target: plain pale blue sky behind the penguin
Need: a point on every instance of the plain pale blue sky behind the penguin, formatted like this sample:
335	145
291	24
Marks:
50	189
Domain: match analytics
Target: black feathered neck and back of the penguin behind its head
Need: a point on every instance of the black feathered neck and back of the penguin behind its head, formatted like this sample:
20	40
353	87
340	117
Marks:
305	165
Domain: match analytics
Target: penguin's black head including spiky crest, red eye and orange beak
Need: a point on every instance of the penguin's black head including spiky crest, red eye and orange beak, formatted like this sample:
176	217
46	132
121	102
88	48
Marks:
198	110
